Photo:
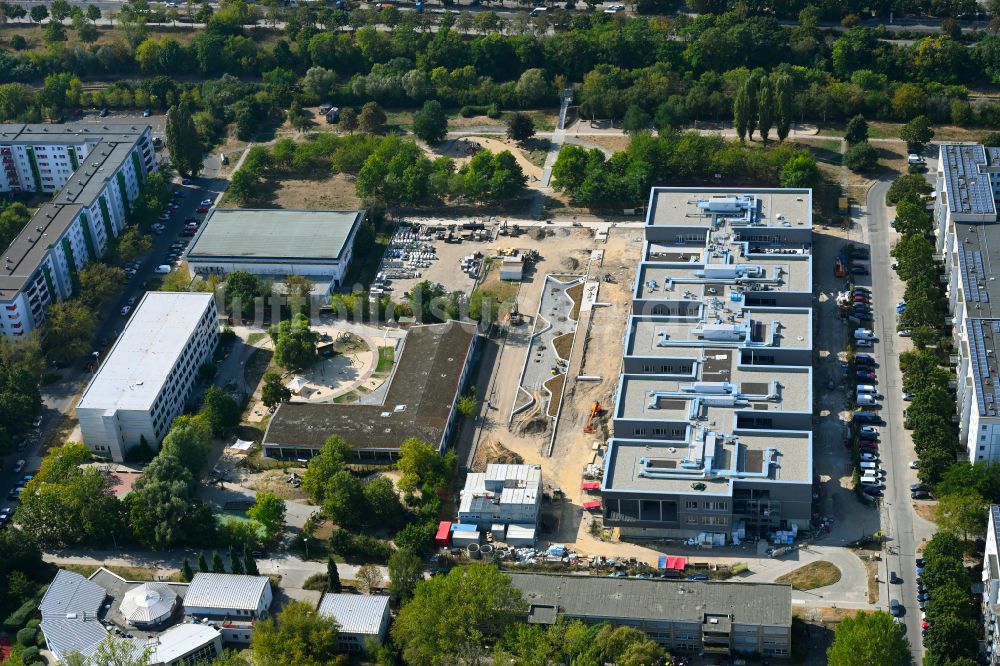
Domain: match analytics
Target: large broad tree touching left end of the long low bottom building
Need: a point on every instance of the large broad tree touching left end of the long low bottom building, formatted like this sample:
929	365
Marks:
451	613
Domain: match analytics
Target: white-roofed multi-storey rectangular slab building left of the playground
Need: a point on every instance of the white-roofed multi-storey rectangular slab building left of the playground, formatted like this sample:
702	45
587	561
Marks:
150	372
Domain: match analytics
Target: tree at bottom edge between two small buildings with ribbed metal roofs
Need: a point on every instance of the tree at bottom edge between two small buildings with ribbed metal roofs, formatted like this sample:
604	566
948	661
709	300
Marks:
299	635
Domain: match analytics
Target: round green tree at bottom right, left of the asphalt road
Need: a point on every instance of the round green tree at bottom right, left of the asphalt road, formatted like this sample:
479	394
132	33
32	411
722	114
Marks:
868	638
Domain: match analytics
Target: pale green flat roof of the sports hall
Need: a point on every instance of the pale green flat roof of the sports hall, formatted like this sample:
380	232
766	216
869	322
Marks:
282	235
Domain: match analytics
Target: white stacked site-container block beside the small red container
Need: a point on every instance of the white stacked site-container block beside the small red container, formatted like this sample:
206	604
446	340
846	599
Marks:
503	494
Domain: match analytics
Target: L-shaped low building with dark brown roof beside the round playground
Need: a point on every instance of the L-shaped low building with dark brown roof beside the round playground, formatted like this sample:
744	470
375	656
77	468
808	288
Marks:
419	402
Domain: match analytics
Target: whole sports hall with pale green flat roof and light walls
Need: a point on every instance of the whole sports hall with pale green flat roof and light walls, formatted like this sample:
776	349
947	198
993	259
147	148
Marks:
314	244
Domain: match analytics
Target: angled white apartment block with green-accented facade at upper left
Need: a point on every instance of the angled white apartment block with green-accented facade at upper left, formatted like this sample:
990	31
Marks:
95	173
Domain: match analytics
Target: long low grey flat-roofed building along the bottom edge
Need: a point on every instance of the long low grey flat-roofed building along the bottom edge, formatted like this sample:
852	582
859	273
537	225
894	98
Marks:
713	618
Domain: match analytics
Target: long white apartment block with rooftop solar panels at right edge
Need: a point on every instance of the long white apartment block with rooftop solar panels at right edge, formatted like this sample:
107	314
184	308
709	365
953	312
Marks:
968	240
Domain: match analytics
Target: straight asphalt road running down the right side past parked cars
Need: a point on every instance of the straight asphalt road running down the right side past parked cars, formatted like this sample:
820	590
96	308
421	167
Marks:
898	516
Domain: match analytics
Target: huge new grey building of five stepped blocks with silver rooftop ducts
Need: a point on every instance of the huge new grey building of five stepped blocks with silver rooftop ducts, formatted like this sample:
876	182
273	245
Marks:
713	411
